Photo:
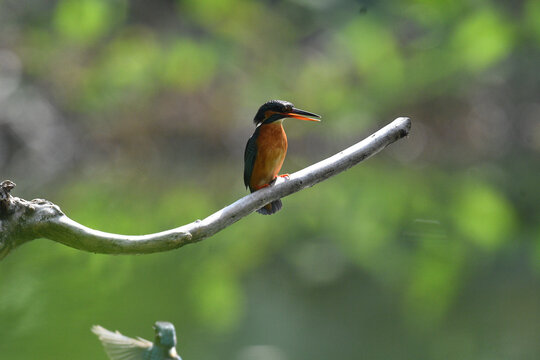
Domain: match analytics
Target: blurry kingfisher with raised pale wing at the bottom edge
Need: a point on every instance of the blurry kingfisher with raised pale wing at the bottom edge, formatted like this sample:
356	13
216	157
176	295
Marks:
120	347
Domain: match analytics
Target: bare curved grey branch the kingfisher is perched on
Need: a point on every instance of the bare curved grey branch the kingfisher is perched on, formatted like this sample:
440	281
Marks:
22	220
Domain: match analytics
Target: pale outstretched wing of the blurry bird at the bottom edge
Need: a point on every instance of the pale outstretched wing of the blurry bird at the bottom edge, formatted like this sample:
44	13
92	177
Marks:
120	347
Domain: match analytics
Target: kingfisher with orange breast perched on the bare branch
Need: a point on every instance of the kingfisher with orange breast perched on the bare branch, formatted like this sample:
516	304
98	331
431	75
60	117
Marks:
267	147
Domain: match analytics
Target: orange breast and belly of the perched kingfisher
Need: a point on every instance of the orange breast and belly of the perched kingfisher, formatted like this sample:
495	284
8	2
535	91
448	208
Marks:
271	151
